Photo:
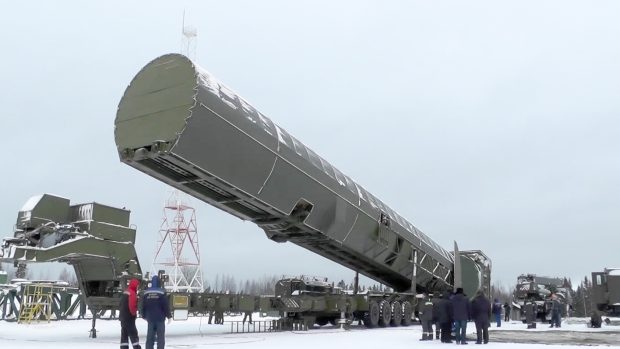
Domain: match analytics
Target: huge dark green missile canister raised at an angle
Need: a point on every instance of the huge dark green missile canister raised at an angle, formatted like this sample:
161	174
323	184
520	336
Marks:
177	123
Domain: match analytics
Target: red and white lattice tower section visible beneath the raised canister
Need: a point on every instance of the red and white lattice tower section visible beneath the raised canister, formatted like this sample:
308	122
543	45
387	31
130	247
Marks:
177	249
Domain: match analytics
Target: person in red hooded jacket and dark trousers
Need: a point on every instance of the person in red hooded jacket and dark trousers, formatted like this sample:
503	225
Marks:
128	310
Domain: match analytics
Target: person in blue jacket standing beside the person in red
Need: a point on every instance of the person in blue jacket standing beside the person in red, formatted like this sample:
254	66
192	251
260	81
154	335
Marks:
155	310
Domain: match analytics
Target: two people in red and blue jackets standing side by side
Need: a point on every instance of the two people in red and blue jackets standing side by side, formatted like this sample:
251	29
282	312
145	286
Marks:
155	310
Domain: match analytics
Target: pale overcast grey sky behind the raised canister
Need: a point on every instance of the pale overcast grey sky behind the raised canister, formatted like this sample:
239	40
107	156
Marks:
492	123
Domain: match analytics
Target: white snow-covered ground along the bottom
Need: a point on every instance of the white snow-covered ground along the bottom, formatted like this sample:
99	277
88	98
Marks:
196	333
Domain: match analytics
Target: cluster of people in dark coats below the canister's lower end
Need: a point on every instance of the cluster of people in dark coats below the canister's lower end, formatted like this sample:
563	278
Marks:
447	310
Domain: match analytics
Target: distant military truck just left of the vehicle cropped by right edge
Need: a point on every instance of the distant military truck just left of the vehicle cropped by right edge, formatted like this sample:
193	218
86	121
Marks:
538	289
